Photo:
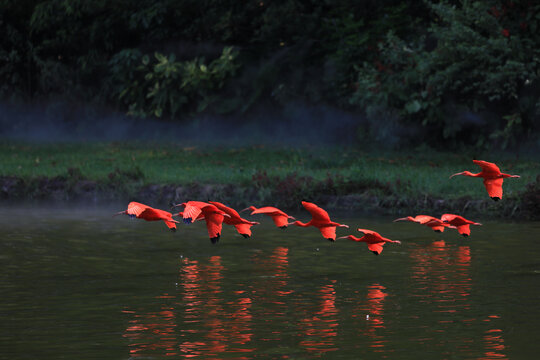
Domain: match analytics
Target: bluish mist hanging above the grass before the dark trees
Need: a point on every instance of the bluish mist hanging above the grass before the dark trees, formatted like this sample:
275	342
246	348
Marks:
295	125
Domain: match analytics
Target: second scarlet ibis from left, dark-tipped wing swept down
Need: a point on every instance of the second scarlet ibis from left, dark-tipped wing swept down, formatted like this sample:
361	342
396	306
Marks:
212	215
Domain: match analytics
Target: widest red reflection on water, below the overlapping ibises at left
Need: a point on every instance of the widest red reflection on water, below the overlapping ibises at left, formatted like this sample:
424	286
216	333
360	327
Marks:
198	322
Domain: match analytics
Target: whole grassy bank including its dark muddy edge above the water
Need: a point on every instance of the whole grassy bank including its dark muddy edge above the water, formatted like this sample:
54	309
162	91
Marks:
416	180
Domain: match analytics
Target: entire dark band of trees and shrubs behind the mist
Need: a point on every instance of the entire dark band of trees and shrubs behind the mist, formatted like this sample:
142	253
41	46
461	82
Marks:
443	72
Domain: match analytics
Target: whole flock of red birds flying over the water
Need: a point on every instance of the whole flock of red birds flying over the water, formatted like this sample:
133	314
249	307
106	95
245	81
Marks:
215	214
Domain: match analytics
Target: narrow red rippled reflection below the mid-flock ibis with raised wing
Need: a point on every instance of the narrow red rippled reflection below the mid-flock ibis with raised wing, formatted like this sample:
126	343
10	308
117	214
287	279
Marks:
320	329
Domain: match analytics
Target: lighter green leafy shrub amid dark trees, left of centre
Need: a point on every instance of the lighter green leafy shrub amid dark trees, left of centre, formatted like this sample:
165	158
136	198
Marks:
165	87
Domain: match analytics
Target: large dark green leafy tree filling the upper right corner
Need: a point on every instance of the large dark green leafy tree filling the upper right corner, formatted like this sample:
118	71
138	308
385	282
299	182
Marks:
483	58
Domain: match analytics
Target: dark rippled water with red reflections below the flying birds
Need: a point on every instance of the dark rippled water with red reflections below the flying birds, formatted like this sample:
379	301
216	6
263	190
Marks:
79	284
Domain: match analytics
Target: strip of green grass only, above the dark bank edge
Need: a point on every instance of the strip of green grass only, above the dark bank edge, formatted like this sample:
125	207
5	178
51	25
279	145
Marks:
409	174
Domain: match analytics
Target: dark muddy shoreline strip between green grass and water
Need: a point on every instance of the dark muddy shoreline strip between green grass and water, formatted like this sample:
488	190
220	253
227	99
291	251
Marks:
524	205
